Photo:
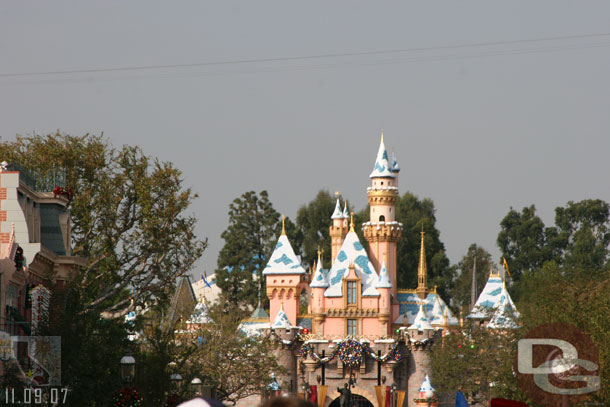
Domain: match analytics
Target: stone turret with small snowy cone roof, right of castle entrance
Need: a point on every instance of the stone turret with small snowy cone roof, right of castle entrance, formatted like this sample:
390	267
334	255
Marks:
421	338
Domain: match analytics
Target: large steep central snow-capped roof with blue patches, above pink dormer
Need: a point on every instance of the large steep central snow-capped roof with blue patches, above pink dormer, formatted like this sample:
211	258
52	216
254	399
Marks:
352	252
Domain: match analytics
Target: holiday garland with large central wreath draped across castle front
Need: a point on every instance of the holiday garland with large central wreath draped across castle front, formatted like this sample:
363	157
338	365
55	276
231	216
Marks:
351	352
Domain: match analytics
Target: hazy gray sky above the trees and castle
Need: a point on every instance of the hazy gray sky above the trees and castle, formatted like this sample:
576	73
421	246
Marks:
478	129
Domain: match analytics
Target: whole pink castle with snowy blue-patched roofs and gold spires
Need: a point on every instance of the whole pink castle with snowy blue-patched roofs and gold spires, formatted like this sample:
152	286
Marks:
361	329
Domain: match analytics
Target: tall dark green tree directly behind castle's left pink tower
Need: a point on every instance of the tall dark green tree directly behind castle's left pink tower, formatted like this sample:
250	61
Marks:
254	227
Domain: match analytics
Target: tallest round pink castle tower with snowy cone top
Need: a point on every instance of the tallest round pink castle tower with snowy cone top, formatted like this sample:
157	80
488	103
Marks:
382	232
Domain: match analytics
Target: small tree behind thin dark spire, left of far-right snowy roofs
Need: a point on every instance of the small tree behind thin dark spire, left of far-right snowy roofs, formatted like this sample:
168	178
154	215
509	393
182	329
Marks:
461	290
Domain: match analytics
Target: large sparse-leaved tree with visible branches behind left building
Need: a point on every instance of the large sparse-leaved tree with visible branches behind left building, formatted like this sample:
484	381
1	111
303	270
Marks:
128	218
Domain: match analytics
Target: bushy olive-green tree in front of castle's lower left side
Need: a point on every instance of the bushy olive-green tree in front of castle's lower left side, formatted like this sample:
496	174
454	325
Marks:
236	365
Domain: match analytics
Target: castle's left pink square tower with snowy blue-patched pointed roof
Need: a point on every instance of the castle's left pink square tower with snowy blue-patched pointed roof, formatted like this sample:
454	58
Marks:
285	279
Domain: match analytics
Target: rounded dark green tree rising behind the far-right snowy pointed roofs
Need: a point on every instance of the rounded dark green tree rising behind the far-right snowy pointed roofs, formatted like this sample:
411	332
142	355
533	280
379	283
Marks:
524	241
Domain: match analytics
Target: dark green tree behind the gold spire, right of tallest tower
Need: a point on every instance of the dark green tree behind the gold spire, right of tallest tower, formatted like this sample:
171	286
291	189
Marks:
415	213
